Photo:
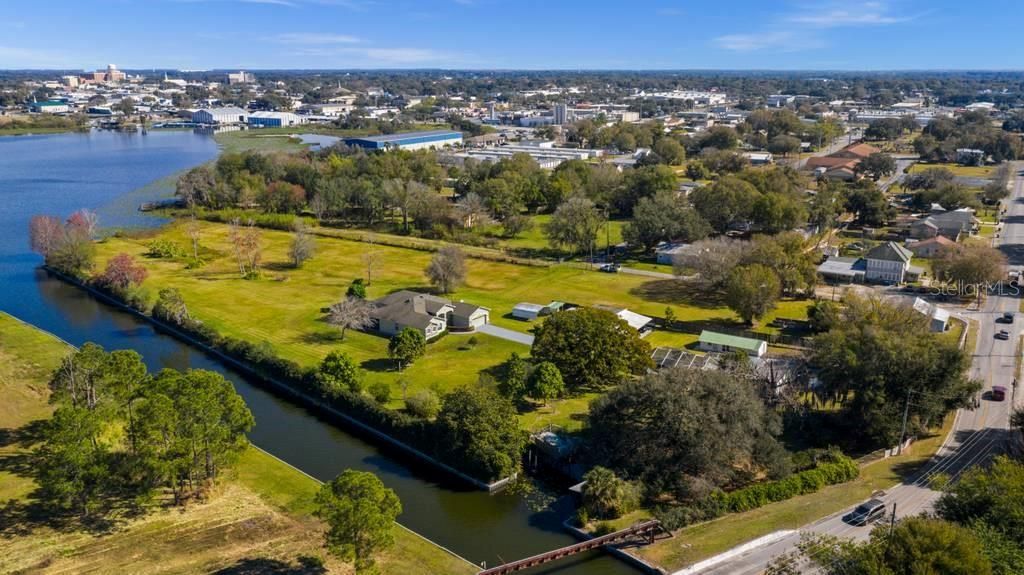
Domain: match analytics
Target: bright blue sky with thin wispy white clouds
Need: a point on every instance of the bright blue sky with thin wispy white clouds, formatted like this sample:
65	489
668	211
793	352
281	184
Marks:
514	34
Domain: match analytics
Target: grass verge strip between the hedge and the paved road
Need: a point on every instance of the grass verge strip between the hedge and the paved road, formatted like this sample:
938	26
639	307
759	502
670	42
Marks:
704	541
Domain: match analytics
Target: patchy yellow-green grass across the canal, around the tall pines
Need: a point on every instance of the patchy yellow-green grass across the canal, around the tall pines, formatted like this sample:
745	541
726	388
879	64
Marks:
257	521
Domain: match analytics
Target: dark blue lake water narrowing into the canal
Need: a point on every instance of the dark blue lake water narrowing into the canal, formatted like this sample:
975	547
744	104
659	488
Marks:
113	173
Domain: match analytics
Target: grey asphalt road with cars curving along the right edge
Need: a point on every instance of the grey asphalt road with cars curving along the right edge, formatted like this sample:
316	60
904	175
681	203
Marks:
977	435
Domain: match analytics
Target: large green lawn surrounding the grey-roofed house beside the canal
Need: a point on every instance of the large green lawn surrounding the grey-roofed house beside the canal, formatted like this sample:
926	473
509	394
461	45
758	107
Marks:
284	307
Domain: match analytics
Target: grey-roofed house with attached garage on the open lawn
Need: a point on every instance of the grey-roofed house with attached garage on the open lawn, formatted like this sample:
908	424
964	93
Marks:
429	315
